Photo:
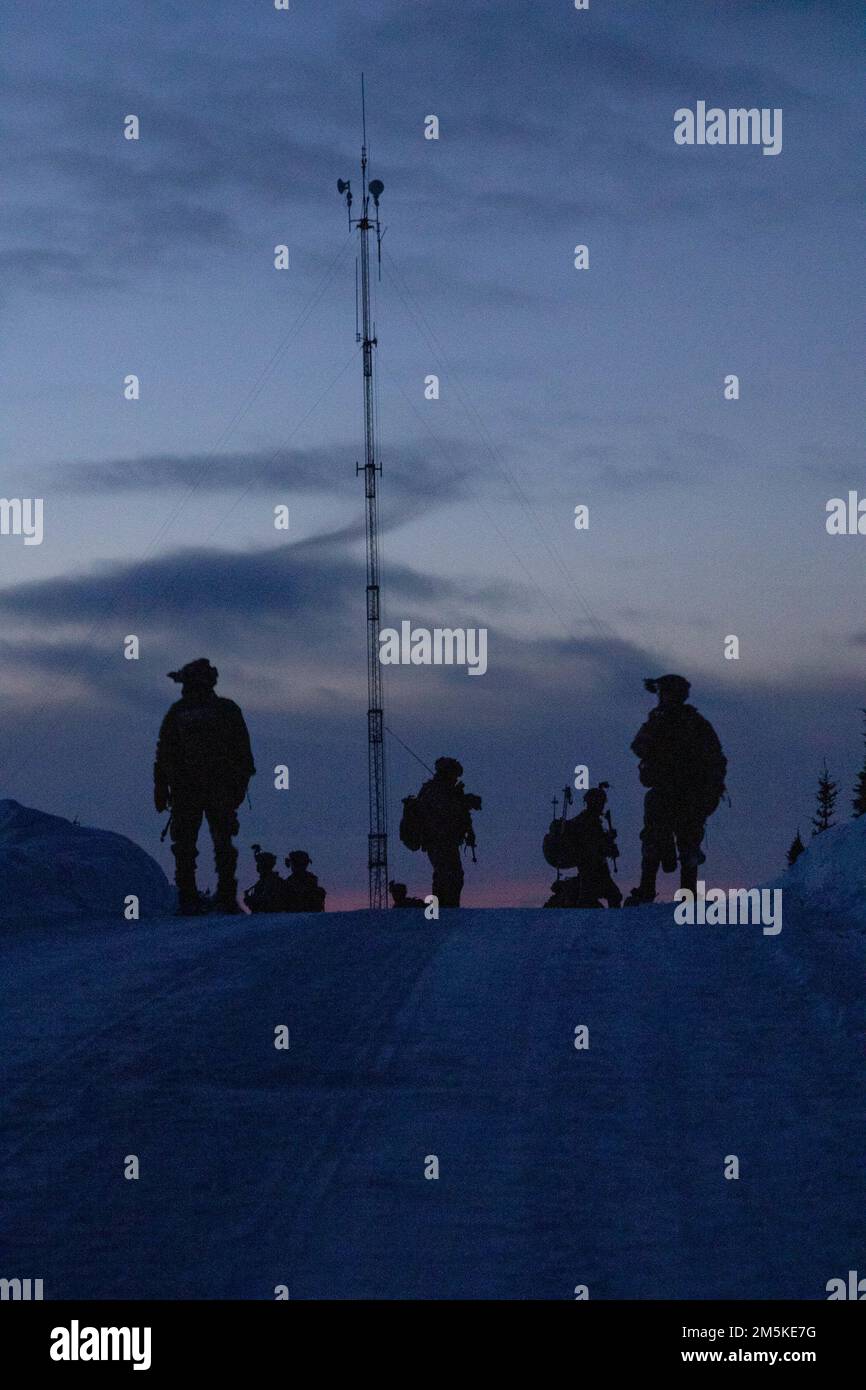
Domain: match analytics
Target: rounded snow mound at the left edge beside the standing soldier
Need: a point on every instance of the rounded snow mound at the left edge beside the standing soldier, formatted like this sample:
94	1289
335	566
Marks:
52	868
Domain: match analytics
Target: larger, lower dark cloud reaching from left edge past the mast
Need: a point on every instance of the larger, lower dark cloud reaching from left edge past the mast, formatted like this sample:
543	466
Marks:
305	597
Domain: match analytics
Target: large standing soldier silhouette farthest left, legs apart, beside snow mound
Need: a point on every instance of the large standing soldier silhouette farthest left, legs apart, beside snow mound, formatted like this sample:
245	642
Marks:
204	765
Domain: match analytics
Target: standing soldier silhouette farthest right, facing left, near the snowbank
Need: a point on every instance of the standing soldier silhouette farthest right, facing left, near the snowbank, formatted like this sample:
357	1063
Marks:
685	768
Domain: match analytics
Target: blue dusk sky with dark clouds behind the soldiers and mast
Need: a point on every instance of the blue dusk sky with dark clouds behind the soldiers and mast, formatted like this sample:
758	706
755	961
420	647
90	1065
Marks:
558	387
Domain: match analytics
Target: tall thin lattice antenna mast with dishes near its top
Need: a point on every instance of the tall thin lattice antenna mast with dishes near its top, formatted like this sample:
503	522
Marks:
377	840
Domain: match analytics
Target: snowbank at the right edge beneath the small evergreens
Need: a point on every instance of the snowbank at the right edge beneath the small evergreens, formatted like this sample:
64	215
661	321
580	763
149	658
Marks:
832	872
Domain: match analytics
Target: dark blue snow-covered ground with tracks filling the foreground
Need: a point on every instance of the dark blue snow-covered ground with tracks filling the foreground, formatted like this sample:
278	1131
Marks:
409	1039
